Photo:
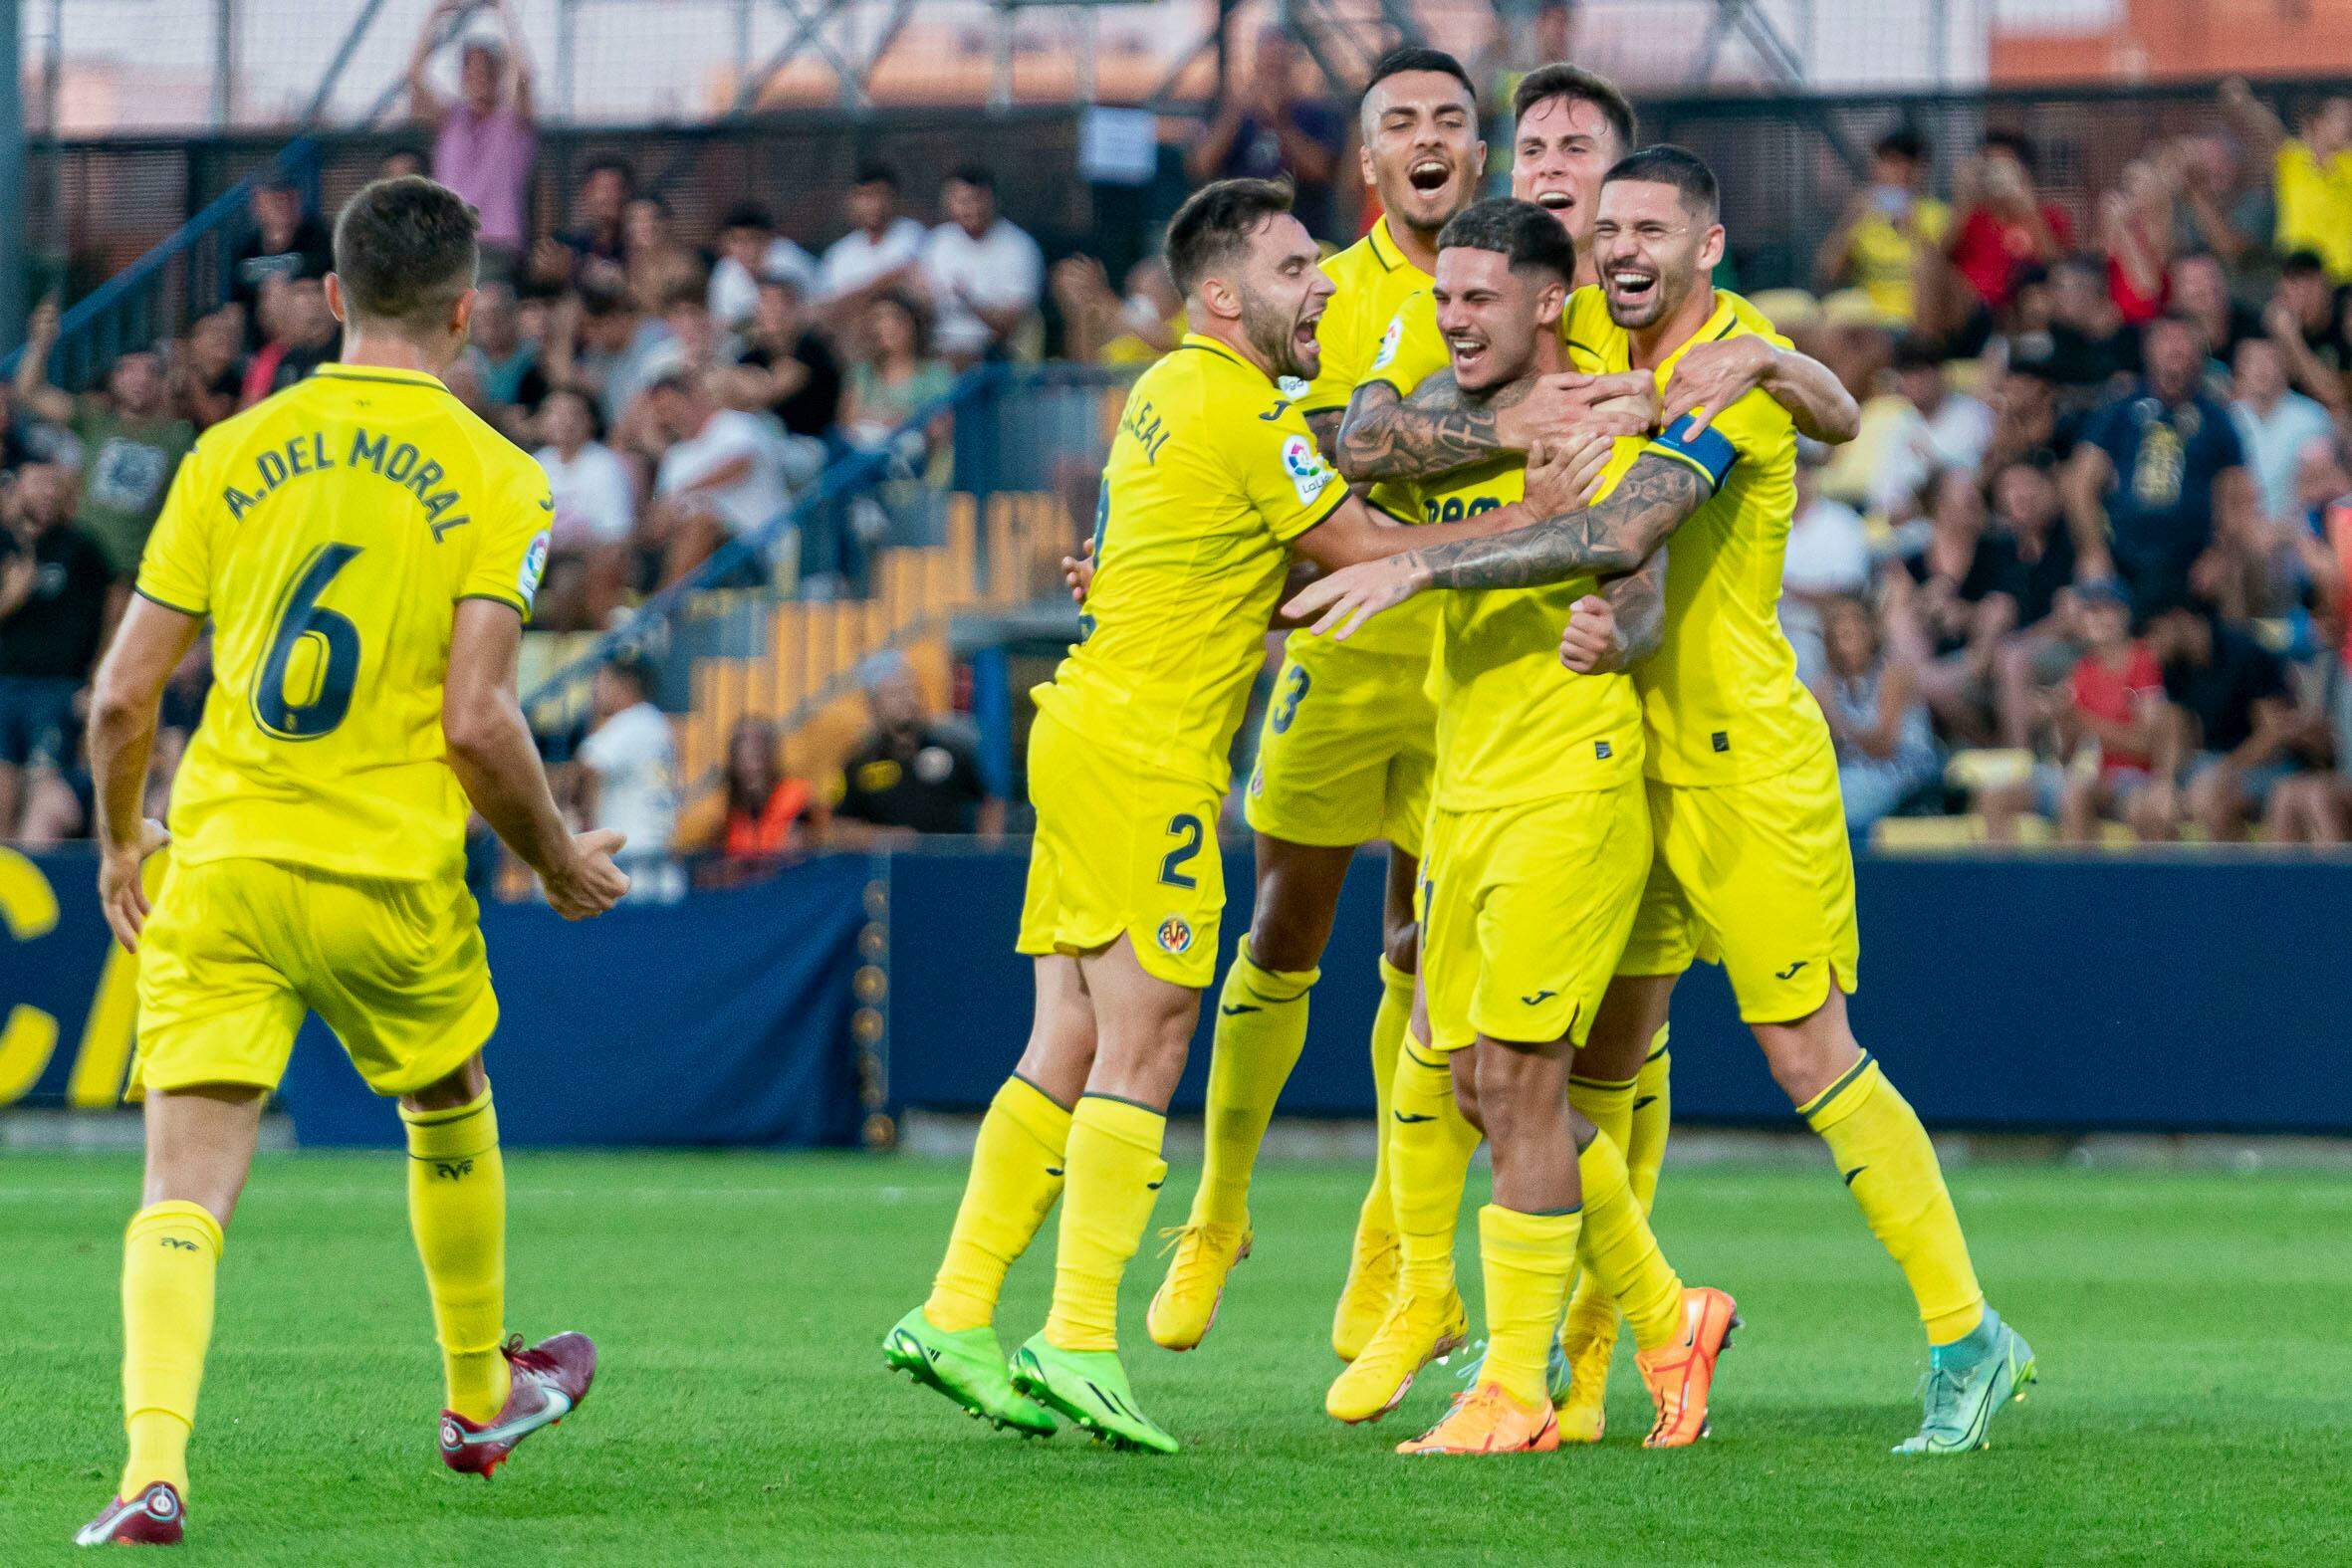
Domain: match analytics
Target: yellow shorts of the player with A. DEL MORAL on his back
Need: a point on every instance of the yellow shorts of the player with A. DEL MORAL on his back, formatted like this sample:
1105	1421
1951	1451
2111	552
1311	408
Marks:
239	951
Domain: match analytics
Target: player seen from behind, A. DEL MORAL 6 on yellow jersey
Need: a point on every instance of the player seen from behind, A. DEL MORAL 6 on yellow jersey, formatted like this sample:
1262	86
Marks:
366	551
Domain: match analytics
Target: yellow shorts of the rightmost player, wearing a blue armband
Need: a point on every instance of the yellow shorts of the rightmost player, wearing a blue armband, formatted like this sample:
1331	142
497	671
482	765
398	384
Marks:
1760	880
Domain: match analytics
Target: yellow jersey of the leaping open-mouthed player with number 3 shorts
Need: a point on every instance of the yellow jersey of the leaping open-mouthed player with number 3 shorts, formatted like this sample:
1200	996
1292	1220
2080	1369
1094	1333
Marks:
1372	279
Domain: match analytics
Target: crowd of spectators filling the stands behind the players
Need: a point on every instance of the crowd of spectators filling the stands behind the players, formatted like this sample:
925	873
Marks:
2085	563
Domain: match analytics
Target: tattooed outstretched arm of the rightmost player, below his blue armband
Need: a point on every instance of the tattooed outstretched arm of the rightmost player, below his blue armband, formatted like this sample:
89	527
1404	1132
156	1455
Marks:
1610	540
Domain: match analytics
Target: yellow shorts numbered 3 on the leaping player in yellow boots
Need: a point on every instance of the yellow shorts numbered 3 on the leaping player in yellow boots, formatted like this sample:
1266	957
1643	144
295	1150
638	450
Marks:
1347	751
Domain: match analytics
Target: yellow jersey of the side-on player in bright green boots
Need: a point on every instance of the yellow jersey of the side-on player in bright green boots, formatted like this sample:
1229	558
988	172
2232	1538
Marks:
1210	474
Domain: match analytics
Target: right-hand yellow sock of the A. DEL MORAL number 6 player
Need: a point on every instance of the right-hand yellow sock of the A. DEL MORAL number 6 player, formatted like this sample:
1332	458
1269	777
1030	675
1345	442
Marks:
457	1214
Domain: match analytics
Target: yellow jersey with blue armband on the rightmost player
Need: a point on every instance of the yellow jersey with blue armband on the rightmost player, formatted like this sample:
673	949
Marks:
1720	697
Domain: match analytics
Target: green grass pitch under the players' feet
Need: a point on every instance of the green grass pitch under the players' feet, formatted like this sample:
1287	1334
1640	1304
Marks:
2191	1332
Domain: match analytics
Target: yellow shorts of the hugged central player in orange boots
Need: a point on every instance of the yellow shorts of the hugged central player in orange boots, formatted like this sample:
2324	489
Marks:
1525	911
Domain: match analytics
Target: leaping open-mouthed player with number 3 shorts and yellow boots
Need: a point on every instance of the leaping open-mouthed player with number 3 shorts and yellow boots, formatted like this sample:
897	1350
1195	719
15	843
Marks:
1344	756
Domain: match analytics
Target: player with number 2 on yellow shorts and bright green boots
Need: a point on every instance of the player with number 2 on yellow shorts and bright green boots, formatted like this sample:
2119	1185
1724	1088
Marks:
1212	485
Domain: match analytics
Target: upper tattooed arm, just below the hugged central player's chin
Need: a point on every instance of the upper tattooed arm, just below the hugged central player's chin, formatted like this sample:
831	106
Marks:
1441	429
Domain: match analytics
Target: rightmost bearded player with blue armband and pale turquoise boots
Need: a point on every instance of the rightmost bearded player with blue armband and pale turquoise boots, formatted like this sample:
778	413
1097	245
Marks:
1753	866
